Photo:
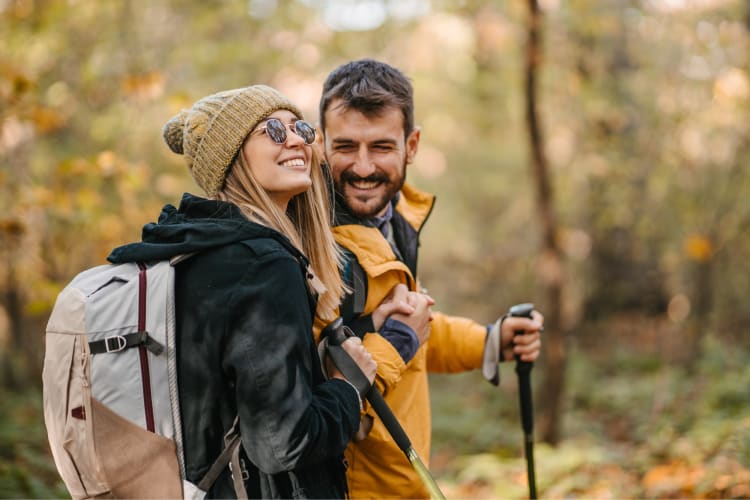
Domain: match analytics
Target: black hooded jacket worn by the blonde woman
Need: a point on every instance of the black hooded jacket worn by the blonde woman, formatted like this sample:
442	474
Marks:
245	344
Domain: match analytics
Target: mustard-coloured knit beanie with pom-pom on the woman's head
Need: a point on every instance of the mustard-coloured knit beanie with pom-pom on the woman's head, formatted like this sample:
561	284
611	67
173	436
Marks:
212	132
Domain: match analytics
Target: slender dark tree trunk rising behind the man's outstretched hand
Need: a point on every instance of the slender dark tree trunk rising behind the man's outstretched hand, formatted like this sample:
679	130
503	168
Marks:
551	389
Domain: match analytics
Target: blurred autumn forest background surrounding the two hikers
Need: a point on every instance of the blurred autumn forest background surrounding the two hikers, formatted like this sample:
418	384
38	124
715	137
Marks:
590	156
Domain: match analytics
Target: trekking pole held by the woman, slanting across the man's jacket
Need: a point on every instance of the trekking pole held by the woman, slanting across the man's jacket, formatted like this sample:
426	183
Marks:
335	331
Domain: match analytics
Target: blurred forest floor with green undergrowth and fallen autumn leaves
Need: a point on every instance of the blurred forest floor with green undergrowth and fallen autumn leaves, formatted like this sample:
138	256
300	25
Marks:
634	425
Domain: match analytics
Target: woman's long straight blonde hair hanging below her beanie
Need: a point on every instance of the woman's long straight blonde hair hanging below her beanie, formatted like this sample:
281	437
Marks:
307	224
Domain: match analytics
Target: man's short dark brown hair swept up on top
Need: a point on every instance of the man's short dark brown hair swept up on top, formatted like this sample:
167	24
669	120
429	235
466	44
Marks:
369	87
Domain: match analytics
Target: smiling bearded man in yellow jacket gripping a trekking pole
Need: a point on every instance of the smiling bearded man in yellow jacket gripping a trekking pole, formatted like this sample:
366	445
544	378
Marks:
367	119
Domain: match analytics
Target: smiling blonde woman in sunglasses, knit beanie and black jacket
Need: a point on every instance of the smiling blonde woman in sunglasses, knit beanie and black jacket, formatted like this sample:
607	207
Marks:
261	262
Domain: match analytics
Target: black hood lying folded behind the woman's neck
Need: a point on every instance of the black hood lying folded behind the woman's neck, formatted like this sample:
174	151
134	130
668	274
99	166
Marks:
199	224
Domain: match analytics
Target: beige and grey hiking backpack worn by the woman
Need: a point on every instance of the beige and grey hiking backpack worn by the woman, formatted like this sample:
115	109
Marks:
111	400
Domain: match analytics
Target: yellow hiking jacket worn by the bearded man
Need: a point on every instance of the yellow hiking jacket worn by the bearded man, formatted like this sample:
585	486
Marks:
377	467
